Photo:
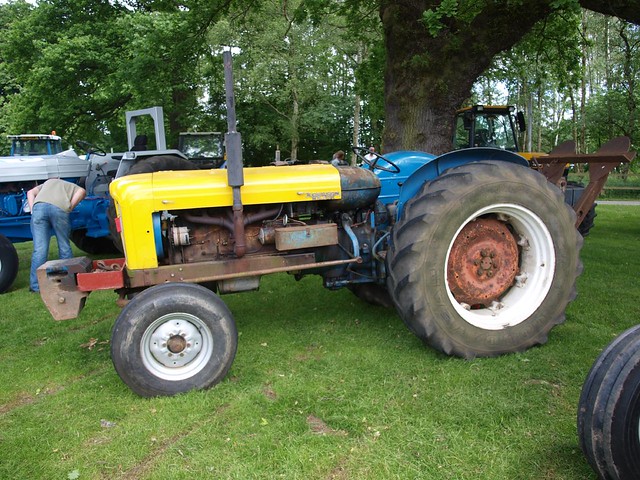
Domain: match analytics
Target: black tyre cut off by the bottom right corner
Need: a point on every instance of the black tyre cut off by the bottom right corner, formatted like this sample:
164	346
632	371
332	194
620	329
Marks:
609	410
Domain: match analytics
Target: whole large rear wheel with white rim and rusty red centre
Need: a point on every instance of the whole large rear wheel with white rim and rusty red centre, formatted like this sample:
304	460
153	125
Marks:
484	260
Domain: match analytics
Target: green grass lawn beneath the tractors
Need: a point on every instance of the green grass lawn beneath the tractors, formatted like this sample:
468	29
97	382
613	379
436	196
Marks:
323	386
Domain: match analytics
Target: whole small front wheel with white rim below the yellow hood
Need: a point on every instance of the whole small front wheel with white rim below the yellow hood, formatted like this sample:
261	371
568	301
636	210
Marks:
172	338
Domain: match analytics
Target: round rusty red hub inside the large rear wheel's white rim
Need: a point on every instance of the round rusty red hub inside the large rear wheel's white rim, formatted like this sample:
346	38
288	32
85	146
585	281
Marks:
483	262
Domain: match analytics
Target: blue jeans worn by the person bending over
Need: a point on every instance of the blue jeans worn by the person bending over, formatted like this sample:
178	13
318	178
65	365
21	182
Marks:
47	220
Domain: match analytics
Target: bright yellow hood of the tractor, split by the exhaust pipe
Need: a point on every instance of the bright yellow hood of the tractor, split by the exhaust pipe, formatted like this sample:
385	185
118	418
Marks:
138	197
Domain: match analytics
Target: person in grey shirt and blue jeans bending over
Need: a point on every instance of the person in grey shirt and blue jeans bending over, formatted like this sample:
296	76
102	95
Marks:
50	204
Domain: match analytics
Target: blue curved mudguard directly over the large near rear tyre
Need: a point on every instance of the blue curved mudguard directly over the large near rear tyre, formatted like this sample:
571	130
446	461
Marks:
437	165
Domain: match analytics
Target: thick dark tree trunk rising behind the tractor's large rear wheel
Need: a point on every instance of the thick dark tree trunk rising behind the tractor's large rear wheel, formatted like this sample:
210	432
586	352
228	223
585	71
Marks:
427	77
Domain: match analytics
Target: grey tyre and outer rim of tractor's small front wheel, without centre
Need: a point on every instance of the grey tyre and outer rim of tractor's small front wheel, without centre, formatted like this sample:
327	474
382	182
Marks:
214	320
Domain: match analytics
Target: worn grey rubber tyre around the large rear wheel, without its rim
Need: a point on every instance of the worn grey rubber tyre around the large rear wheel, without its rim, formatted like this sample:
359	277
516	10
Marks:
433	316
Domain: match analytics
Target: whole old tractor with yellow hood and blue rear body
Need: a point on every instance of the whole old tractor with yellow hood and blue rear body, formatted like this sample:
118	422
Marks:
476	250
